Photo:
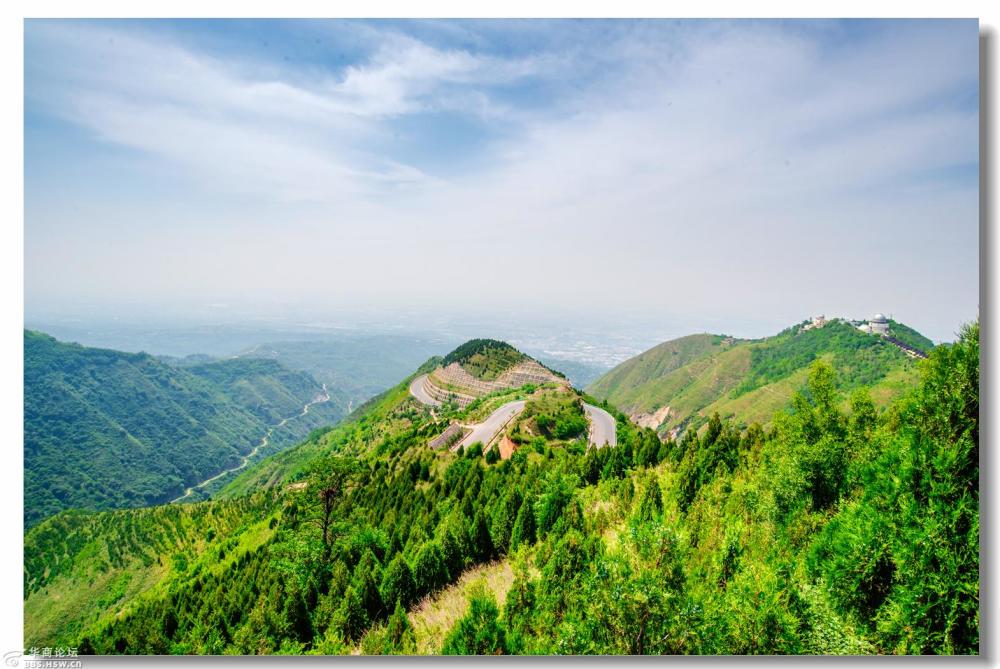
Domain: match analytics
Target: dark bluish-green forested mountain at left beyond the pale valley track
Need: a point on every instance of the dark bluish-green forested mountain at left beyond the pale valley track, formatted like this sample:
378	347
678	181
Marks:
105	429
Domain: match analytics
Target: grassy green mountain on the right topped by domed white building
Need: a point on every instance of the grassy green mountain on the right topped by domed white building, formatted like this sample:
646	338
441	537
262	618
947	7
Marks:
684	381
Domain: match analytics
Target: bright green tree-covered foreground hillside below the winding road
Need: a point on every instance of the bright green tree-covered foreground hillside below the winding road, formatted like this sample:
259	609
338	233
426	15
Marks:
843	528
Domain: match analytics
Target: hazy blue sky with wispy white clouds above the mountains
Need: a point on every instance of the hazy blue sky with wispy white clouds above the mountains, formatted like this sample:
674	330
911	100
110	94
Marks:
734	176
